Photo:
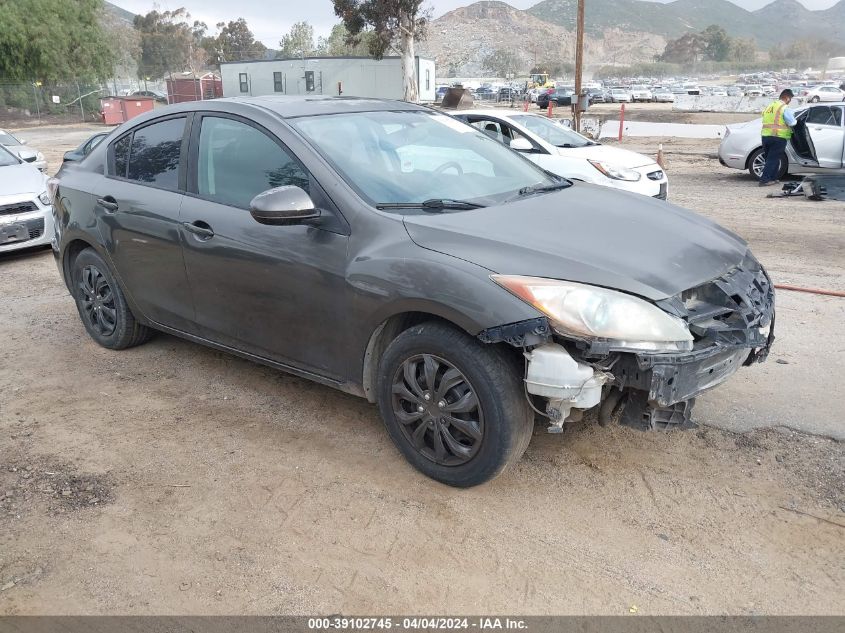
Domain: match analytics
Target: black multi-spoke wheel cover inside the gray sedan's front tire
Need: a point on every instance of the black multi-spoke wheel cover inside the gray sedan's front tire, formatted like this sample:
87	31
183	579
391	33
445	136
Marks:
438	410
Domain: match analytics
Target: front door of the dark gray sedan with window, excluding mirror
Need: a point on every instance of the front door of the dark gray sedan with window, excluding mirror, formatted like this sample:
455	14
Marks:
274	291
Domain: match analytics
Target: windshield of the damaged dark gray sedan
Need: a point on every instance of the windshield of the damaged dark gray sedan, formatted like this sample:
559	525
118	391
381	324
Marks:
415	156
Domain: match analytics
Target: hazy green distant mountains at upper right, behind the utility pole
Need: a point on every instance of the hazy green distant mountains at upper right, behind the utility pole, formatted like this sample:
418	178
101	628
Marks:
783	19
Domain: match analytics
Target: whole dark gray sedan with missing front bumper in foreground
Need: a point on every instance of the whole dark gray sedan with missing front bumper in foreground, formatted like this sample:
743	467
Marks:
400	255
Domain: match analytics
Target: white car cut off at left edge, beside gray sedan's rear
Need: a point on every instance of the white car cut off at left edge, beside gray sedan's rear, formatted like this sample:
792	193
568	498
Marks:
26	211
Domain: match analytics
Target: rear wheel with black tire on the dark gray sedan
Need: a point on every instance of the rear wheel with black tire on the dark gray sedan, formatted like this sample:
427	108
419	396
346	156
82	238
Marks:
102	305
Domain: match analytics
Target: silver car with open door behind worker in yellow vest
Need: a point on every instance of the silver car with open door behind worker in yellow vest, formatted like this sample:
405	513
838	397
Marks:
817	145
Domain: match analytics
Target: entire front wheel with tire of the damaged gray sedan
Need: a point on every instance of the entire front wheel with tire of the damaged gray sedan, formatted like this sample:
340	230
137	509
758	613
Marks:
454	407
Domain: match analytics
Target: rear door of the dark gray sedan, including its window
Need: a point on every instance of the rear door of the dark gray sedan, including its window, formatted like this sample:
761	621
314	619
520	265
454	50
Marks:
138	203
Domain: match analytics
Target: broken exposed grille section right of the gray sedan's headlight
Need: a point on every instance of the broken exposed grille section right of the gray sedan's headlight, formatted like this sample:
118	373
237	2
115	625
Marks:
734	309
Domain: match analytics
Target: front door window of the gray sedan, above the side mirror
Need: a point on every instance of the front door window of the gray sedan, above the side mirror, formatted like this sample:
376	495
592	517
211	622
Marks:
237	162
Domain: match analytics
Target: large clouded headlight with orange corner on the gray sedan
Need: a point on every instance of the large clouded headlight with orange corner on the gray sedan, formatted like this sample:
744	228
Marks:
590	312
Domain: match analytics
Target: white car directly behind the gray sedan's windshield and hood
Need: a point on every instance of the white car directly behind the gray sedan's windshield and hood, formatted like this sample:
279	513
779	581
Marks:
566	153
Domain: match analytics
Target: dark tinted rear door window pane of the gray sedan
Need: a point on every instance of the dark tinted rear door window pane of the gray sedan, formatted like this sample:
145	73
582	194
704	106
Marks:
154	153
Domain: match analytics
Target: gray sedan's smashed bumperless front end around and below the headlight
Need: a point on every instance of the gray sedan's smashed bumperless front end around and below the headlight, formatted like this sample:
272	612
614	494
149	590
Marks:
731	319
